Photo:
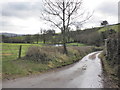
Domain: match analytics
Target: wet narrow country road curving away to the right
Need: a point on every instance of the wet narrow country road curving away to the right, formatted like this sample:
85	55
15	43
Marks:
87	73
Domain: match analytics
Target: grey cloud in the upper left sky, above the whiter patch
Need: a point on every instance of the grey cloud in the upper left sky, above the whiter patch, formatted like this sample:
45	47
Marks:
21	9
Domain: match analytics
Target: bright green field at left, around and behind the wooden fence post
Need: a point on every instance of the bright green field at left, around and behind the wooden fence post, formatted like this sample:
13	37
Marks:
10	51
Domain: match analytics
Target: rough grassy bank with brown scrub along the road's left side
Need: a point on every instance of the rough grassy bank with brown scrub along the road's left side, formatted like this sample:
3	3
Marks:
41	59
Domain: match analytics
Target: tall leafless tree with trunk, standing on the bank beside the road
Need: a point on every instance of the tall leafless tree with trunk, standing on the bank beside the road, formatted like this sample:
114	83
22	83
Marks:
62	14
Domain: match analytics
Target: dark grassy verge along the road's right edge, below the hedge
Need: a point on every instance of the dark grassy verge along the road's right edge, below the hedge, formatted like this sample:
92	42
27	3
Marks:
110	73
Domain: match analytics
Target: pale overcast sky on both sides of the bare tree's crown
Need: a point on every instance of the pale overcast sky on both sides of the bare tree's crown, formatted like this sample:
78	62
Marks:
22	16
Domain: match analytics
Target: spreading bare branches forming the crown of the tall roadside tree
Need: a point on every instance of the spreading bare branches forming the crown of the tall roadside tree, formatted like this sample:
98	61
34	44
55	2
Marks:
66	11
